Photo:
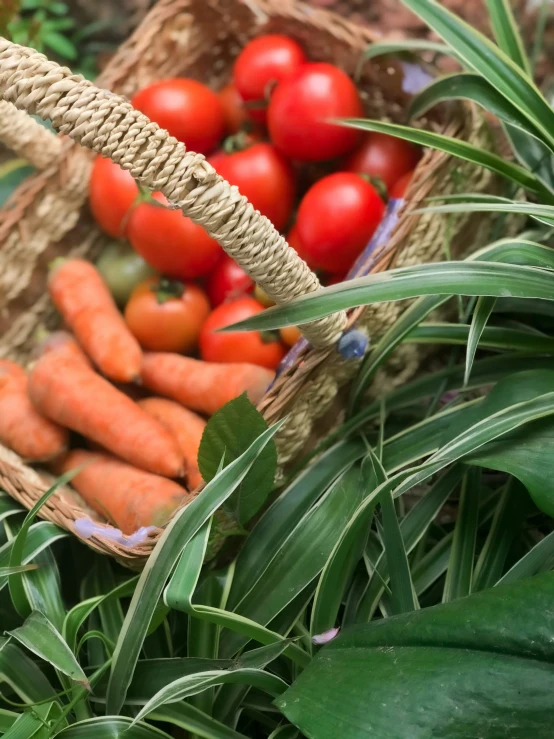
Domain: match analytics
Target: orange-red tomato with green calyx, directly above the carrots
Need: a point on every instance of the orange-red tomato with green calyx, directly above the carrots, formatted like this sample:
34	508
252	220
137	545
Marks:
166	315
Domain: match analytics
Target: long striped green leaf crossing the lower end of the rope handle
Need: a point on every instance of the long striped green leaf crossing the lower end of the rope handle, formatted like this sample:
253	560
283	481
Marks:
452	278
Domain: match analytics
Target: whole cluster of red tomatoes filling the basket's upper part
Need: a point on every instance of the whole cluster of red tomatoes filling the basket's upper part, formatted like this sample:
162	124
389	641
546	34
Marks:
262	132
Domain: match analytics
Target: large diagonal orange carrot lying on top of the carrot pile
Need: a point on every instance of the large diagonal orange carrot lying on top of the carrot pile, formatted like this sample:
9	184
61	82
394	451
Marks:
72	394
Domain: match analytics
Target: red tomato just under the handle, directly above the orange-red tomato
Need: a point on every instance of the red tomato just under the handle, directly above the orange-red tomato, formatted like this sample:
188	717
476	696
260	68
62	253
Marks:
171	242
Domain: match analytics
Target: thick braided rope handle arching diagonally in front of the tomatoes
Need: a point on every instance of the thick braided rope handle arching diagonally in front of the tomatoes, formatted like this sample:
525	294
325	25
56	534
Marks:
108	124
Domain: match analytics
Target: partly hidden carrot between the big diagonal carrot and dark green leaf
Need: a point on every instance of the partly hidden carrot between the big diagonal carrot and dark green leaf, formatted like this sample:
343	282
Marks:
186	427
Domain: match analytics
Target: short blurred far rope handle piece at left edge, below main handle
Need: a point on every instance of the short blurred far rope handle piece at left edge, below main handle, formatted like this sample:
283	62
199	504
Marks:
27	138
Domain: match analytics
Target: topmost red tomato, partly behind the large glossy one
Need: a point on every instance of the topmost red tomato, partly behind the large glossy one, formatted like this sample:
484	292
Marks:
262	63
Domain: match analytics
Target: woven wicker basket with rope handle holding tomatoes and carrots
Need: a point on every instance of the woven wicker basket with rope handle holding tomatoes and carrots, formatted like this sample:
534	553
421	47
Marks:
47	216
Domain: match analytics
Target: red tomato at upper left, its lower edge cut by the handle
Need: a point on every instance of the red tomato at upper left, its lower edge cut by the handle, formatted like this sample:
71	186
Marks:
187	109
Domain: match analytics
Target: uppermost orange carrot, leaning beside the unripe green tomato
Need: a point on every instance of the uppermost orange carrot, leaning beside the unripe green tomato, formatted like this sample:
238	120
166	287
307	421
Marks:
87	307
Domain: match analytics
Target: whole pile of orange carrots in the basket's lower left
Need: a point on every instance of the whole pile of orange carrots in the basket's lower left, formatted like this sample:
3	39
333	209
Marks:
130	420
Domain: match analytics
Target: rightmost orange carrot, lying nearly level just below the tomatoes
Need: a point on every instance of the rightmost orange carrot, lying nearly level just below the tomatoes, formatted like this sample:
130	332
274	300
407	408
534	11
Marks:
202	386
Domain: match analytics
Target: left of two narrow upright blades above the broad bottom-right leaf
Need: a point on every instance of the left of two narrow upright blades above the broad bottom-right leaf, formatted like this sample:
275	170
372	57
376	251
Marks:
459	575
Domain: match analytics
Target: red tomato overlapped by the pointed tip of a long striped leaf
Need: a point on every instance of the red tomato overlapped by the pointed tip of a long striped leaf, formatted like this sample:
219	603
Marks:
254	347
